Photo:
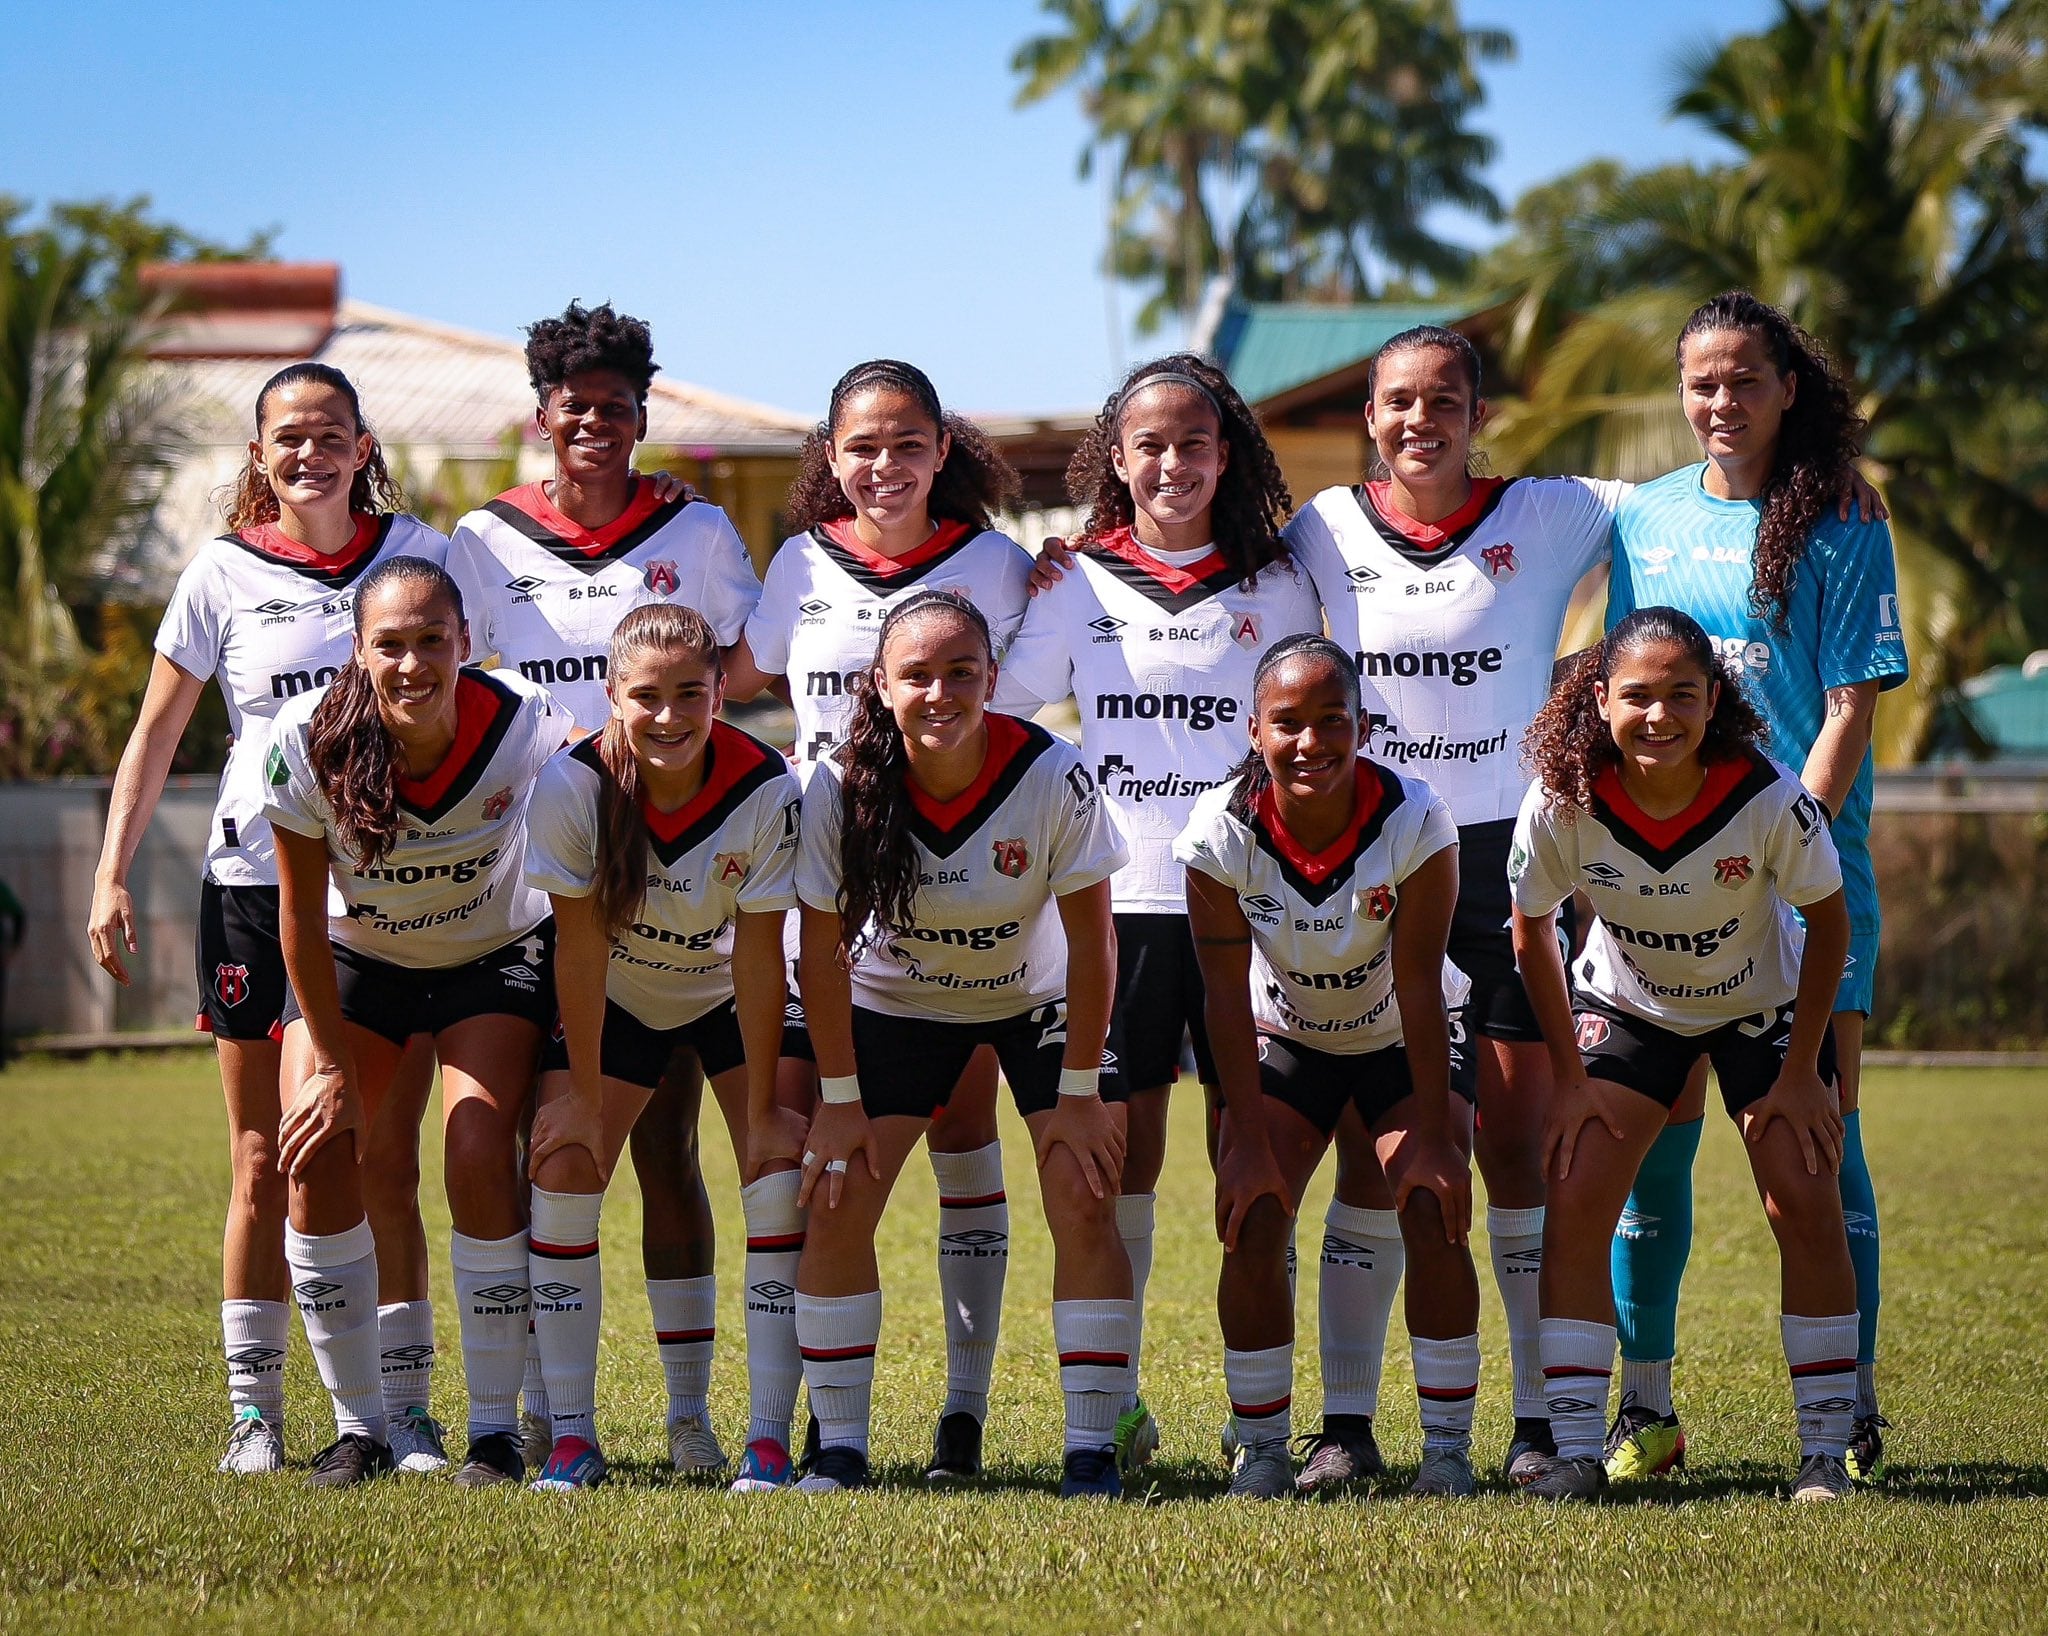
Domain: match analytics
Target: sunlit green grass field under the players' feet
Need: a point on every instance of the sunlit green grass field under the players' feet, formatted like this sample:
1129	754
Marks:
112	1516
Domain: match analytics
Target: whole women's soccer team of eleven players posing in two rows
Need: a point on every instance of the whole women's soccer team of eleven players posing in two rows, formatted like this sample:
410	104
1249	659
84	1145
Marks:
1338	826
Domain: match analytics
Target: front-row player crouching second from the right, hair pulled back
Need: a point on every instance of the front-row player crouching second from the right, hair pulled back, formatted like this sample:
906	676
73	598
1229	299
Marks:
1320	892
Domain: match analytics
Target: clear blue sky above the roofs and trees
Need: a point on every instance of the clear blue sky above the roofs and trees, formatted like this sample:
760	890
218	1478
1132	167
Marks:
781	187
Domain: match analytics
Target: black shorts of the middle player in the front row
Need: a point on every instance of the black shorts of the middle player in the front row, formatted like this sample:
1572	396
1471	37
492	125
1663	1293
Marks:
910	1066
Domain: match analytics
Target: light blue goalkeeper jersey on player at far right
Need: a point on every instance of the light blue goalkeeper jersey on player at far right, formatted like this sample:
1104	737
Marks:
1680	548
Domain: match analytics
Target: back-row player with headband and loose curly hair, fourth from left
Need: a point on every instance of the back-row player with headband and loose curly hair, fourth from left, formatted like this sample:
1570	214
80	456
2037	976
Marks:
1175	591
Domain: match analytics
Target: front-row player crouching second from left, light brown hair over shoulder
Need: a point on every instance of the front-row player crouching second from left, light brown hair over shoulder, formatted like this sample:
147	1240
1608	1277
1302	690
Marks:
669	849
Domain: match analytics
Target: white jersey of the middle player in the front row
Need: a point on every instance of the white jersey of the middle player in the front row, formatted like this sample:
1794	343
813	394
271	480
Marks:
988	941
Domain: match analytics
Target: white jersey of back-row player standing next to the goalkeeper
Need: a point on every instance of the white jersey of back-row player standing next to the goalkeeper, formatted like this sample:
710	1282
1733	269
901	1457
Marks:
1455	628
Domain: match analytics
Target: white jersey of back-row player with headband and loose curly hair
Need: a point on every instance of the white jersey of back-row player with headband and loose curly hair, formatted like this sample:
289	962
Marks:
1160	662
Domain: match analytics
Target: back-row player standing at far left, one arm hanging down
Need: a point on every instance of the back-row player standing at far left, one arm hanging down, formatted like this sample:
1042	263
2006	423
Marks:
265	611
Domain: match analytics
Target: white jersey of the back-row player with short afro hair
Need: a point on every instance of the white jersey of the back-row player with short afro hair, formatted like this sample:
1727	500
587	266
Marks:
546	593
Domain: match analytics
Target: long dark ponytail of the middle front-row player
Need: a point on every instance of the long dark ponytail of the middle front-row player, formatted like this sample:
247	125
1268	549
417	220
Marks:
878	851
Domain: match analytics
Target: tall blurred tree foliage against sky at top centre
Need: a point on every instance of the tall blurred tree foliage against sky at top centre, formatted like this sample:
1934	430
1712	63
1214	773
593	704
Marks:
1289	144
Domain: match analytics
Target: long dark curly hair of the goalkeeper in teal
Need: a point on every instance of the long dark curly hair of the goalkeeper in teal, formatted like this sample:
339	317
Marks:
1818	443
